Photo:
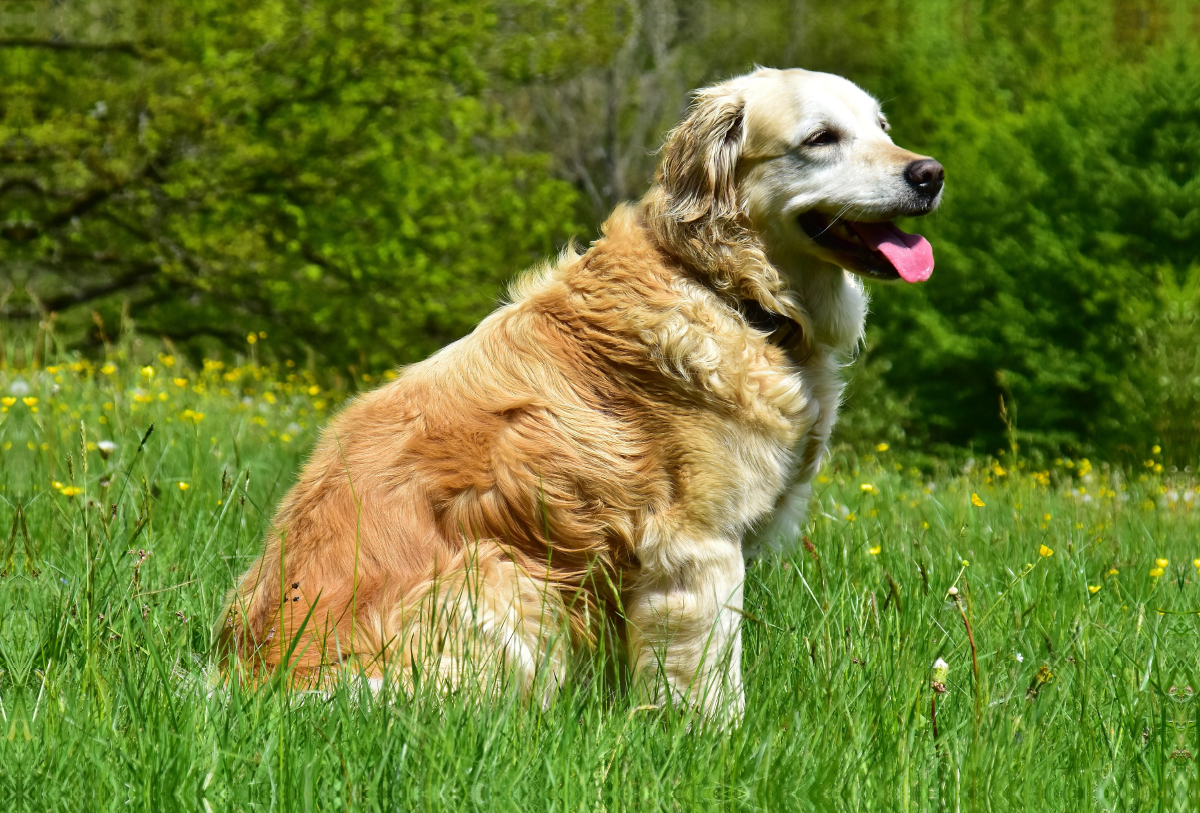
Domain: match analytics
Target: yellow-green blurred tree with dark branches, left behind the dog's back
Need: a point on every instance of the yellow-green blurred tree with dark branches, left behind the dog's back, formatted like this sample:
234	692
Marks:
333	173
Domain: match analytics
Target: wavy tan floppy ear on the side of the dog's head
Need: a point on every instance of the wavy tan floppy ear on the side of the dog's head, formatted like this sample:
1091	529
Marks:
701	155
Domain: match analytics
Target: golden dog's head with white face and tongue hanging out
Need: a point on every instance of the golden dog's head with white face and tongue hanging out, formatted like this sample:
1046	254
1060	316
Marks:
802	164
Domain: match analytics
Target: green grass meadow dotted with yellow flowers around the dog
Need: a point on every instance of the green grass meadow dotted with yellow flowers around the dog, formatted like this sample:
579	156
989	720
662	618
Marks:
1072	700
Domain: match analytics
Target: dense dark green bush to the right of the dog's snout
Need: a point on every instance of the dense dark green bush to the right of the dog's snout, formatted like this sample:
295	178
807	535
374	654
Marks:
1079	220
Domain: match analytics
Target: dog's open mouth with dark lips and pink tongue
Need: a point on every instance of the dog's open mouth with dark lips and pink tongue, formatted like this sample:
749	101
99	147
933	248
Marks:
873	250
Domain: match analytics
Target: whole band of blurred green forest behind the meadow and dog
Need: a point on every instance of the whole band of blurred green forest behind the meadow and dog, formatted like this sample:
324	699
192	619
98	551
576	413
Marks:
358	182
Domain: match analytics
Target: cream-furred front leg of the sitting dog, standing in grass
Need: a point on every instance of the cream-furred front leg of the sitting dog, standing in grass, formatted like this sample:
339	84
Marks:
685	625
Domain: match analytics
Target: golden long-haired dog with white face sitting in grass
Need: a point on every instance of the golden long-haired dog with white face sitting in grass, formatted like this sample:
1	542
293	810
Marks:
601	455
